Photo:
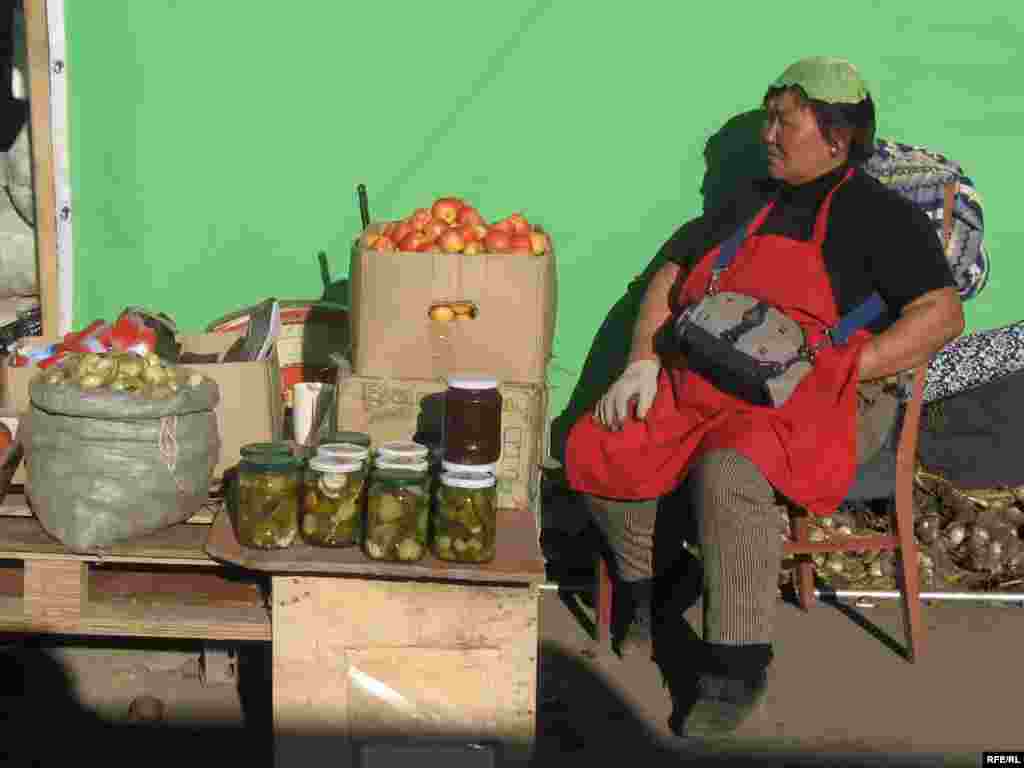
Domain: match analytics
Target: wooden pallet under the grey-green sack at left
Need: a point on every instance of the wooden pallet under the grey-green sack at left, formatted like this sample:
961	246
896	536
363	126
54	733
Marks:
162	585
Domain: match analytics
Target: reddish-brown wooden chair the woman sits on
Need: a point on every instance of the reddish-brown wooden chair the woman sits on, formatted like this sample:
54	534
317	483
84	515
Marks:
902	540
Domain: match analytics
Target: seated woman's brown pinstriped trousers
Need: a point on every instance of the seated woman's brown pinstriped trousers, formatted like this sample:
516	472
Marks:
739	522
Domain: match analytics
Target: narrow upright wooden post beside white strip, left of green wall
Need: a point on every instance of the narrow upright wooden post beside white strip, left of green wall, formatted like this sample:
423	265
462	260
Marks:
38	56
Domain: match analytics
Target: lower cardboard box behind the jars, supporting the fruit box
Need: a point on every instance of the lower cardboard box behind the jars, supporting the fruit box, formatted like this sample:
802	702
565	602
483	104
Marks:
405	409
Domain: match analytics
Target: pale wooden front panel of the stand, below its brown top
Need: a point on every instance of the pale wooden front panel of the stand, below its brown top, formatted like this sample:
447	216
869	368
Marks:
362	661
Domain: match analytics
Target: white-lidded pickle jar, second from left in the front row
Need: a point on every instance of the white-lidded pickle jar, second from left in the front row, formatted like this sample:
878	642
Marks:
332	502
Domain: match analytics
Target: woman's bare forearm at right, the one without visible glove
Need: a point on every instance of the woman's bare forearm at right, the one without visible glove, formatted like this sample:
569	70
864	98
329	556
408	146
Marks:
925	326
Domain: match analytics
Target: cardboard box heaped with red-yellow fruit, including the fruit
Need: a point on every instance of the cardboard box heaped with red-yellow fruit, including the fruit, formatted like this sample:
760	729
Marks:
445	291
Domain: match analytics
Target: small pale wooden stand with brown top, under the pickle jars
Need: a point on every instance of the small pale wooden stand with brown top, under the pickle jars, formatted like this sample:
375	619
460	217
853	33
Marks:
368	653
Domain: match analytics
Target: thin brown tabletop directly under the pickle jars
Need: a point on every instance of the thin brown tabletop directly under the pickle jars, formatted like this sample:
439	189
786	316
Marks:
518	561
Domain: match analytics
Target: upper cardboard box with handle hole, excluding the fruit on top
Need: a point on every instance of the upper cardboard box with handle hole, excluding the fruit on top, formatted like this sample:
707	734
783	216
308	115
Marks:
394	337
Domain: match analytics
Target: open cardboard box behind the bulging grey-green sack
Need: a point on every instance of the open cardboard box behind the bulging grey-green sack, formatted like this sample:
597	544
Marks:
250	409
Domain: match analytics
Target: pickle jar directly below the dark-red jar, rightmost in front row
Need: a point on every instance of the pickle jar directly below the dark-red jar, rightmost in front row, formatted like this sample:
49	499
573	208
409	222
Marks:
466	518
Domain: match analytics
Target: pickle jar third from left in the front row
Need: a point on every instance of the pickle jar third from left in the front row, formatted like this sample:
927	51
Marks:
398	510
